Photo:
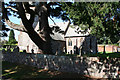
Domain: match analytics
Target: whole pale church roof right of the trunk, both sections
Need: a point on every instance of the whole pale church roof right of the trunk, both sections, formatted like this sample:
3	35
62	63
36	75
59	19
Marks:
71	32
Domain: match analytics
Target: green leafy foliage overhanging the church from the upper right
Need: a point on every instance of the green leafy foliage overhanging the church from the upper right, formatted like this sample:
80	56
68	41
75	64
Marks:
103	19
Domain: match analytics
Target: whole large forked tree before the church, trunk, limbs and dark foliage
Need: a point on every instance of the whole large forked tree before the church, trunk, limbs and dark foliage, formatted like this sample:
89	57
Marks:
43	10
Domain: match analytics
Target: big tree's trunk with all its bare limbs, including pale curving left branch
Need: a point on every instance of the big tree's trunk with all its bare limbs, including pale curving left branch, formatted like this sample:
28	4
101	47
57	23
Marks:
41	37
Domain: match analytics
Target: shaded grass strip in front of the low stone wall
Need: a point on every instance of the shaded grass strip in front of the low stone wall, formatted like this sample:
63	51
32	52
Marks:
15	71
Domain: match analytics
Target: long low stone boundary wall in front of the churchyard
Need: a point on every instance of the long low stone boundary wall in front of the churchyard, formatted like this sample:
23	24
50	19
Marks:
91	66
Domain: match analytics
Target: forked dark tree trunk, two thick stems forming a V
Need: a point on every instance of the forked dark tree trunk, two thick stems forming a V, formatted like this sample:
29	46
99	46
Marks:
41	39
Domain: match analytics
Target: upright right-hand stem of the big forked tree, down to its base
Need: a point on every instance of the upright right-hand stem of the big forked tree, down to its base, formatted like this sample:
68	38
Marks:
44	29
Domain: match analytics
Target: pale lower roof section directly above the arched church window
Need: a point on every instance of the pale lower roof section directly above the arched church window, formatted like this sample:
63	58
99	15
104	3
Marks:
72	32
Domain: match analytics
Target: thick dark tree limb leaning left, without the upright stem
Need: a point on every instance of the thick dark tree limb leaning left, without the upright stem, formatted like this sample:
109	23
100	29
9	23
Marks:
30	30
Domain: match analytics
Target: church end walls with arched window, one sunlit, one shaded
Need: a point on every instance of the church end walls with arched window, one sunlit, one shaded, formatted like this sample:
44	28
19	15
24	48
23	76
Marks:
83	44
